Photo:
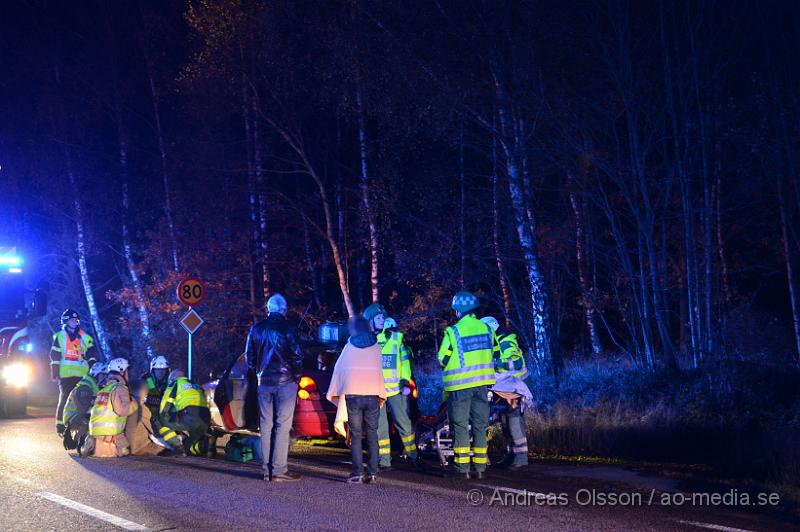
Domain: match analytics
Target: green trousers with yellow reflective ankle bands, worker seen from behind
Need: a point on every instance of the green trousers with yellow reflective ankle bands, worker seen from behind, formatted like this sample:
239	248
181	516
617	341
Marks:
464	408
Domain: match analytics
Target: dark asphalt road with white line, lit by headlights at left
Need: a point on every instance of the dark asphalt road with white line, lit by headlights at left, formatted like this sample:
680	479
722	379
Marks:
42	487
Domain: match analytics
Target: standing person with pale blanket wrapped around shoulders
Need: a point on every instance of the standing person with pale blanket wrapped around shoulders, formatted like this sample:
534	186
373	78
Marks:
358	378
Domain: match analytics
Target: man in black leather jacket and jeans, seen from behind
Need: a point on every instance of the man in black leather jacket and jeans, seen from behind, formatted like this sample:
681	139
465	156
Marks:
274	353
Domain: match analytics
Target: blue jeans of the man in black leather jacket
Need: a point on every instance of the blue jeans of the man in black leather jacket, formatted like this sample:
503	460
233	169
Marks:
276	405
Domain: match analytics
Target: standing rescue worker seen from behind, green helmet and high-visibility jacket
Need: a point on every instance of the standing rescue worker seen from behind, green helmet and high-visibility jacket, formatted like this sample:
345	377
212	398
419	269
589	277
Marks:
466	355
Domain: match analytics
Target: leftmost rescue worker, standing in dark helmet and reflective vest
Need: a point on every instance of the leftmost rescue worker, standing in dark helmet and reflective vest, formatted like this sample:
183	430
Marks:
72	354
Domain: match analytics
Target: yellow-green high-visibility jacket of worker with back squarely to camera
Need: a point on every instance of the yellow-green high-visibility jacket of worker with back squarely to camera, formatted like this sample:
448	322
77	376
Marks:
467	354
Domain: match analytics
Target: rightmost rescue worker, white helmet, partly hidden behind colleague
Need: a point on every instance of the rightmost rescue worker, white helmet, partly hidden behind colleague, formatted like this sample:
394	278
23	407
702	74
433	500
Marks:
510	359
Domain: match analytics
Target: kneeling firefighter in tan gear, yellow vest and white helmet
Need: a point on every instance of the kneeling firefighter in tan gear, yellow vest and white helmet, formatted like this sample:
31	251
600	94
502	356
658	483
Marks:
109	417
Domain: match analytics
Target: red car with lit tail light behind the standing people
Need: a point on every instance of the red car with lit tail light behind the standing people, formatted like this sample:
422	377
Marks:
233	399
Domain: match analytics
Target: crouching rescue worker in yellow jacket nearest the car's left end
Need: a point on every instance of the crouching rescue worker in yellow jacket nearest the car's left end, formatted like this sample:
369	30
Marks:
184	410
